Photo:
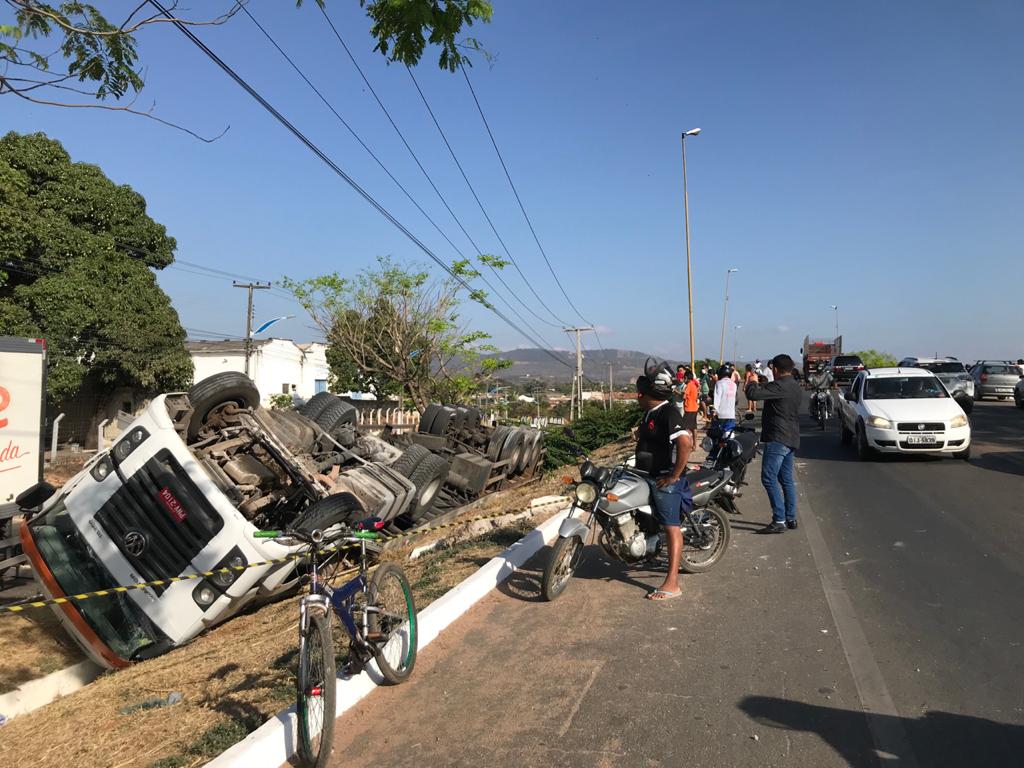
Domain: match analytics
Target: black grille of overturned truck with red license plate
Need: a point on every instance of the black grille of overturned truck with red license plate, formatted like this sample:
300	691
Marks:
159	520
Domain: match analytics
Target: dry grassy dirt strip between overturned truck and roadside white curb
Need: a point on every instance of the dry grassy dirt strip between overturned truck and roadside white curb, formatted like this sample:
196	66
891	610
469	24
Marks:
234	678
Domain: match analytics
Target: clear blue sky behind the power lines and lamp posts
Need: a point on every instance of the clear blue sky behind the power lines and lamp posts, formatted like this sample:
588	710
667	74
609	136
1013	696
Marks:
866	155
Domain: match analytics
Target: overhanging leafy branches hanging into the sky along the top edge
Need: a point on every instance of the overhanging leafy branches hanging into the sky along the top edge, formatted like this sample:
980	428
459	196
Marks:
99	59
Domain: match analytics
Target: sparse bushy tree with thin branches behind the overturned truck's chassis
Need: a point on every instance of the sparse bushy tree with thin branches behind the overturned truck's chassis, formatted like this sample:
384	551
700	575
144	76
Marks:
394	330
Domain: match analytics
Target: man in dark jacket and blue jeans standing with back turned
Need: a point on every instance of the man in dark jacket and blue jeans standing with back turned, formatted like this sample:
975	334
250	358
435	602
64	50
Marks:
781	434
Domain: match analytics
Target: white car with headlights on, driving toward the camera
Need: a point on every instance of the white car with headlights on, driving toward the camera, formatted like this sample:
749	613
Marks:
904	411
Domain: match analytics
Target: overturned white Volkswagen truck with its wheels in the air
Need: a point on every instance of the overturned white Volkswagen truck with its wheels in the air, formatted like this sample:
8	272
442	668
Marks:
184	490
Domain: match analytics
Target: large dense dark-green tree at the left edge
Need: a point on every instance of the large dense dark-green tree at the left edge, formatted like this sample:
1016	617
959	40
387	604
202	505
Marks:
77	255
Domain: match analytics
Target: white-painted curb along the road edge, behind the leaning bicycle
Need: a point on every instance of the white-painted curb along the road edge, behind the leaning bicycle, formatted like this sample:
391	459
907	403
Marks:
274	743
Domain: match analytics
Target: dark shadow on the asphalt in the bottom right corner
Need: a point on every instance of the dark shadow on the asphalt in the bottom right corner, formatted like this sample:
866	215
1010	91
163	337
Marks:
938	739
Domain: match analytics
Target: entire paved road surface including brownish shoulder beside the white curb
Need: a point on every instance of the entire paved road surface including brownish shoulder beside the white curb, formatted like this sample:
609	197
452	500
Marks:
885	631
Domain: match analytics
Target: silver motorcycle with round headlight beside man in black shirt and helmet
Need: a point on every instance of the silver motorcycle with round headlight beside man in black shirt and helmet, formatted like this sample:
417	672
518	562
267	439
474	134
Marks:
620	503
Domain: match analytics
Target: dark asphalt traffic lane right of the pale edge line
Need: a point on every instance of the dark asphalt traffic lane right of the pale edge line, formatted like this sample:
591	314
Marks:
930	554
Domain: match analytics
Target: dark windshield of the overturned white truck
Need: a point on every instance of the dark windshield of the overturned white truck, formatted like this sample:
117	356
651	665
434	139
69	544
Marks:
115	619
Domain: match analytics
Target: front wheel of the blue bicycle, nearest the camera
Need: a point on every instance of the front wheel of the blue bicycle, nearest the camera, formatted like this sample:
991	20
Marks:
316	687
